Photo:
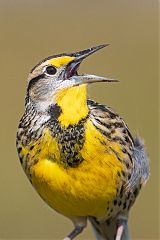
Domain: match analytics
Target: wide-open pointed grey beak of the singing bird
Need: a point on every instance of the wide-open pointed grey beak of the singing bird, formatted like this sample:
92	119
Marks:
72	67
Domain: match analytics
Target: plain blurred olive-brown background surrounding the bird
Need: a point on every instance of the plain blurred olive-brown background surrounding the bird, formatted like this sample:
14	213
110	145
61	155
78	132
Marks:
32	30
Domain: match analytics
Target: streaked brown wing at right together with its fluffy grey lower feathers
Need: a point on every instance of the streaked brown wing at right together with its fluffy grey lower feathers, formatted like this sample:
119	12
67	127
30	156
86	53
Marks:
115	129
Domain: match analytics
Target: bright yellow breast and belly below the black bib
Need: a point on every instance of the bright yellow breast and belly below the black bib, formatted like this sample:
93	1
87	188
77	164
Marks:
85	190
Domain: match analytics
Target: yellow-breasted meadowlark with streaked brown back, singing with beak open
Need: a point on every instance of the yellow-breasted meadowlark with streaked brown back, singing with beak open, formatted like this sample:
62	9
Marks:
79	155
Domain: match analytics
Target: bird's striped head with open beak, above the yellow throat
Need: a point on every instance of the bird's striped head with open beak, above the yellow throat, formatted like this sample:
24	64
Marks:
56	74
